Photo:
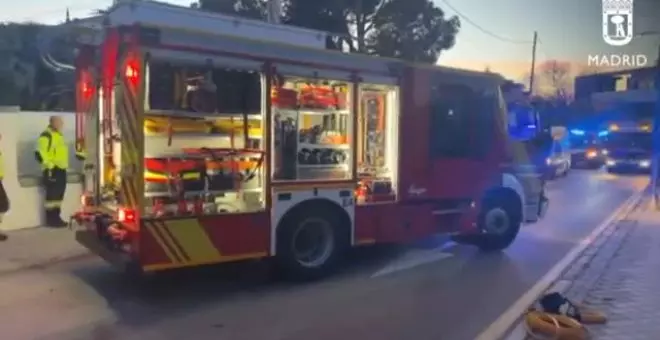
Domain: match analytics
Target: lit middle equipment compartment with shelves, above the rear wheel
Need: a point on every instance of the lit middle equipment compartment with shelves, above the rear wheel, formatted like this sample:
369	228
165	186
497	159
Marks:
312	125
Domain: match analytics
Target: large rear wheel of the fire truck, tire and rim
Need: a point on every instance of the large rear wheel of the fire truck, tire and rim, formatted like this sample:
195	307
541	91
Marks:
311	241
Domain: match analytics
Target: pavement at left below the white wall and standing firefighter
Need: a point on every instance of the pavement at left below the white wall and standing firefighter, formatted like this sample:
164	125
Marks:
36	247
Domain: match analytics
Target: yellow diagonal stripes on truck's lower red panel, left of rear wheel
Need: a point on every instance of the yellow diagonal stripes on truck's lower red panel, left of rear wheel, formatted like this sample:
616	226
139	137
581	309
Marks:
186	244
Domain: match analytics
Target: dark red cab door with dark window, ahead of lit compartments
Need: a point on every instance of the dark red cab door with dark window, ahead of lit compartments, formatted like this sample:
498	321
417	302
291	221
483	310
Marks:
460	143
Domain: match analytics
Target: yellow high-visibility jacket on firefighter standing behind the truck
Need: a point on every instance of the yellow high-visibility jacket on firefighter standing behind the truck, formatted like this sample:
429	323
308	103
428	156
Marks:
52	150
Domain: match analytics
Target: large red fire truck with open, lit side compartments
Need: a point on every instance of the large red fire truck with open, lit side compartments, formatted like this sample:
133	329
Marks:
216	139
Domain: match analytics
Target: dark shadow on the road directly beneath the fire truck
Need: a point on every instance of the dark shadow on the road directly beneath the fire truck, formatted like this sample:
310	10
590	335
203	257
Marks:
175	294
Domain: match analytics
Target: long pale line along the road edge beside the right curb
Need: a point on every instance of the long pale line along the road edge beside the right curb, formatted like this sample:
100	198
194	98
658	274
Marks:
498	329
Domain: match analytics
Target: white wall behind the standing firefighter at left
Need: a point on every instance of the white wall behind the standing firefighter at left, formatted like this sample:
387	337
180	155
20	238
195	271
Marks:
20	131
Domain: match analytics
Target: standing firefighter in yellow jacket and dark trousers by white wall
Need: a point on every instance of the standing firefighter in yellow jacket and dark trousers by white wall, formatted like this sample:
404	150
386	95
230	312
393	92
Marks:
53	155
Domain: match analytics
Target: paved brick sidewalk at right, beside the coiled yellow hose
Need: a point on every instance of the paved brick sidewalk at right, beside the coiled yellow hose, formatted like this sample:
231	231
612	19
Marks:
620	276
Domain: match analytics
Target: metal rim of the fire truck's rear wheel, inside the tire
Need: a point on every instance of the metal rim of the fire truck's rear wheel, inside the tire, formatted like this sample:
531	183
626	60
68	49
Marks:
313	242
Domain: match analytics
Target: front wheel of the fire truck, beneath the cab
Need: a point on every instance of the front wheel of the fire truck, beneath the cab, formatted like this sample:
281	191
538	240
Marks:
499	221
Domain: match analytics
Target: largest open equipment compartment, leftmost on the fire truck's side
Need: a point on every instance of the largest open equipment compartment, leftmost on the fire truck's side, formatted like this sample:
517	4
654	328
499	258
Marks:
203	140
